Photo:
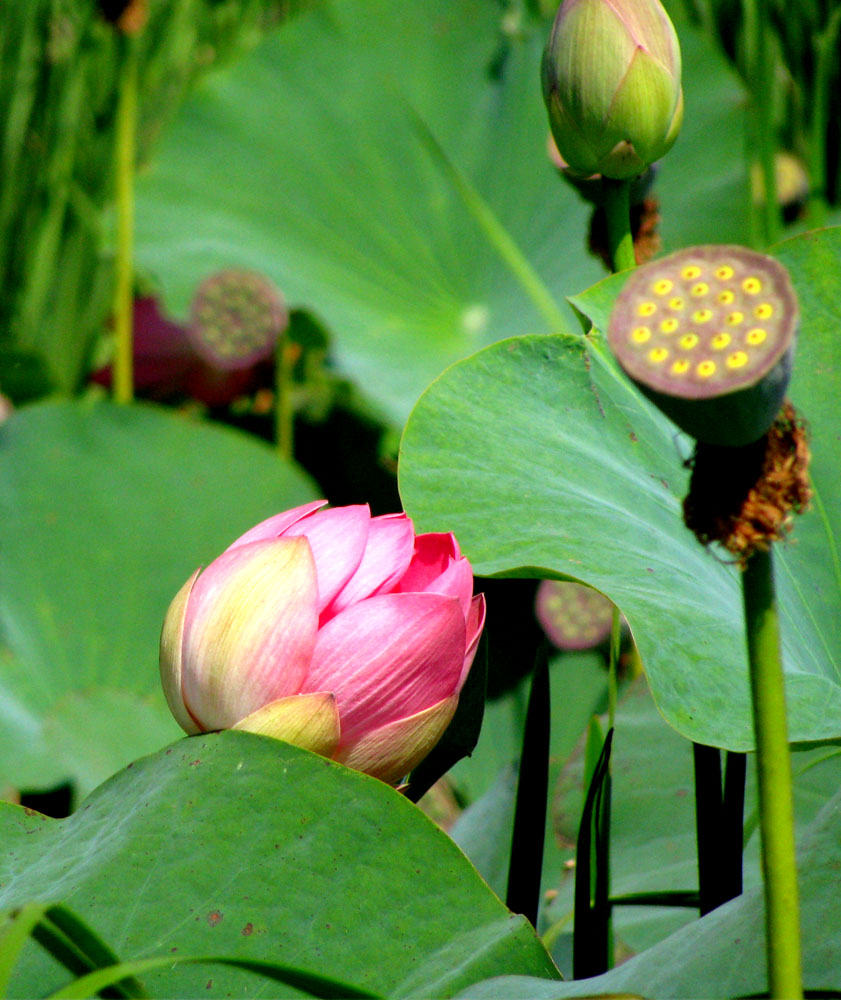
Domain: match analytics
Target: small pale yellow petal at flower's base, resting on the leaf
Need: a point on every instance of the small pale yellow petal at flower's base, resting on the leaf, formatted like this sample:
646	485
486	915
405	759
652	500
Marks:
310	721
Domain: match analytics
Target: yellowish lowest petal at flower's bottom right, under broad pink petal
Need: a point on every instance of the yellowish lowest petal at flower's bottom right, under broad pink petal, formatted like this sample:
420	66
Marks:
391	751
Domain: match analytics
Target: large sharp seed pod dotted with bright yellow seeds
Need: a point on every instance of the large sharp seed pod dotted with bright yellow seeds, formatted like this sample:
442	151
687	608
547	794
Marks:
708	334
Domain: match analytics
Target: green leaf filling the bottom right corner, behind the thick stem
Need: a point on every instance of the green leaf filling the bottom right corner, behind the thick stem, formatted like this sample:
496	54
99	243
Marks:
723	954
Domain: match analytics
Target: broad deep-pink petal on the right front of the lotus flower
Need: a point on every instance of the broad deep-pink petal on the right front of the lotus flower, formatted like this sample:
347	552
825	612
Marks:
389	657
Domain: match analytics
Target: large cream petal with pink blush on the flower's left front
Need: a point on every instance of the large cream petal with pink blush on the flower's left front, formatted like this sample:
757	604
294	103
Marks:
249	631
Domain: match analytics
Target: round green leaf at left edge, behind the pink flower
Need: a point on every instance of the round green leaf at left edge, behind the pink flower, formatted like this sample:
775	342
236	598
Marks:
104	513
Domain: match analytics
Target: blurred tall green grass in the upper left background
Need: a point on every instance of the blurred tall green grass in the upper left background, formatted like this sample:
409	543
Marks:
59	63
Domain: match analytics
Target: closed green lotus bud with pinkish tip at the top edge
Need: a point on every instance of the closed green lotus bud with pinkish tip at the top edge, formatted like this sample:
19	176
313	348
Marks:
611	82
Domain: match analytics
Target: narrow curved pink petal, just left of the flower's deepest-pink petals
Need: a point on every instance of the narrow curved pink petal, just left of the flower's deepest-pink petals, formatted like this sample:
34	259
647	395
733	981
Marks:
388	552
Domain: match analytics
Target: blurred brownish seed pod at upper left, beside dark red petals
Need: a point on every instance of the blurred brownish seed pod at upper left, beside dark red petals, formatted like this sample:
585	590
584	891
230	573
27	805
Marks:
236	319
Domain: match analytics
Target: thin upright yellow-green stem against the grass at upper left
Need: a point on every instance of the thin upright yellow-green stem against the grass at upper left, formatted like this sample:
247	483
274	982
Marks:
126	128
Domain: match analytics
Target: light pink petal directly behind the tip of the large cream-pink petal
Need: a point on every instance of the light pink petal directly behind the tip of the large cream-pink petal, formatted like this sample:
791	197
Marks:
337	537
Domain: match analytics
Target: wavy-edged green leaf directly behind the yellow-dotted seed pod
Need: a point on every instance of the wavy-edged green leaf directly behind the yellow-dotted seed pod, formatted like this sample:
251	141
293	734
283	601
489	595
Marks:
546	461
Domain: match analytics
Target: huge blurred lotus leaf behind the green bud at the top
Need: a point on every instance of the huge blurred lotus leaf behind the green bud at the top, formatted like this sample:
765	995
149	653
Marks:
385	164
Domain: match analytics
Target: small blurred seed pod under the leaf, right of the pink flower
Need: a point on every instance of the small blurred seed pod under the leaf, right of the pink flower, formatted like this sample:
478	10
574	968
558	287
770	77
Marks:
573	616
